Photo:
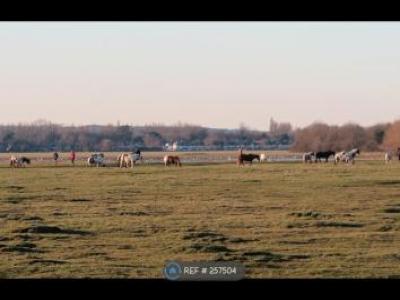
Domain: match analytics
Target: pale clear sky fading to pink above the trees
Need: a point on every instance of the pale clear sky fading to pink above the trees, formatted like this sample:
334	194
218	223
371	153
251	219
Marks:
214	74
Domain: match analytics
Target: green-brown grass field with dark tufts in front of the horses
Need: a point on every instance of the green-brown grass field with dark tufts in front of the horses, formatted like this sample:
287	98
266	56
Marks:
281	220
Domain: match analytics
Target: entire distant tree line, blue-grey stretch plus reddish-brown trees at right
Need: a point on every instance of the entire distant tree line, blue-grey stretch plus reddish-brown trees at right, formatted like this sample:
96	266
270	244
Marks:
46	136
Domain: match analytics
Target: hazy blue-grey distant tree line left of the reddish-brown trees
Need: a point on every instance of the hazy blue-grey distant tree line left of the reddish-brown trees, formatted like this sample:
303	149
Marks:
46	136
